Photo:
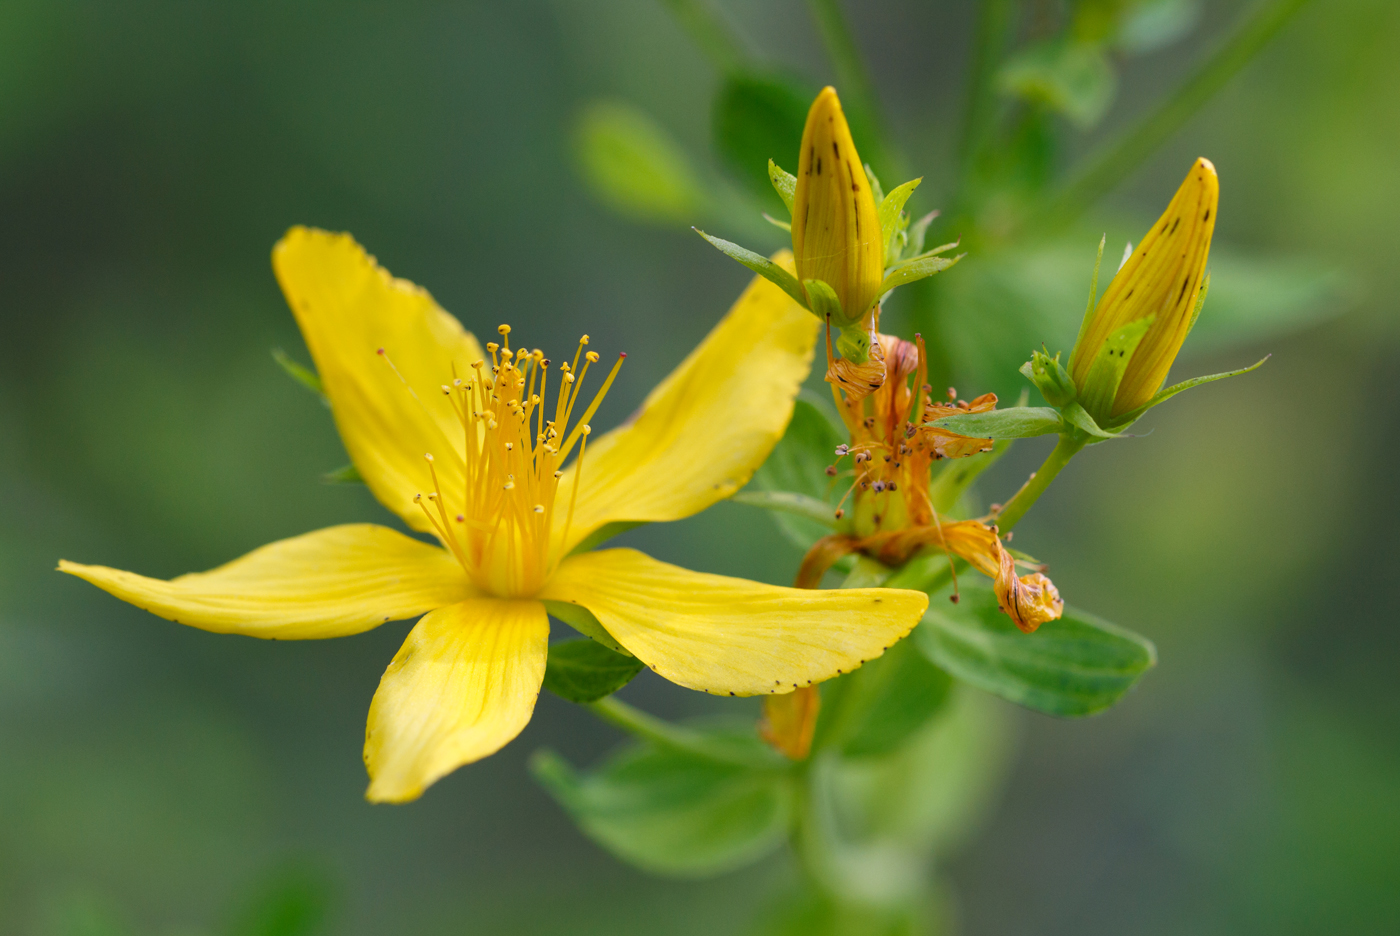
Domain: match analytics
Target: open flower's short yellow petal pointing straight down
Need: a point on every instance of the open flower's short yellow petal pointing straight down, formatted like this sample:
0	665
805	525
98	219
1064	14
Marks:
460	689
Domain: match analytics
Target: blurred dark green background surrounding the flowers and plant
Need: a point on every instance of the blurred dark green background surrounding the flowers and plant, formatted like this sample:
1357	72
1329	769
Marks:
160	780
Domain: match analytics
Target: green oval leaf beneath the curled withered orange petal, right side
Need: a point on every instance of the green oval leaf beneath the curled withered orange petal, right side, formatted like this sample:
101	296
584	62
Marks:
1074	667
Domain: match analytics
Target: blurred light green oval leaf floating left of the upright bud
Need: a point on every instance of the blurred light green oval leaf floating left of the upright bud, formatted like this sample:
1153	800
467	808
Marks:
632	166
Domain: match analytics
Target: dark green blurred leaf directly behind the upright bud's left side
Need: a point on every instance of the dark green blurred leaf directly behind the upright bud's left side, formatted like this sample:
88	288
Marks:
759	118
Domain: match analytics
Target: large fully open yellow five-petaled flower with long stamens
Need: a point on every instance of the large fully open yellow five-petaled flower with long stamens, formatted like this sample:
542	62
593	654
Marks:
461	444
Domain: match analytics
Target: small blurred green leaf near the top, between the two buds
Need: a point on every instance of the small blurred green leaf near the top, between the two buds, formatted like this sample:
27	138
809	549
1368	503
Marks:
1072	78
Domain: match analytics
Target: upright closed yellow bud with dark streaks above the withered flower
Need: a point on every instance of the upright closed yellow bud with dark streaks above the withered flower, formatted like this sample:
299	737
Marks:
836	233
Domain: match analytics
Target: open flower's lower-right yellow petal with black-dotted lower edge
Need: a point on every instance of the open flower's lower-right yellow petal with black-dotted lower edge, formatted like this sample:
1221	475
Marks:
730	636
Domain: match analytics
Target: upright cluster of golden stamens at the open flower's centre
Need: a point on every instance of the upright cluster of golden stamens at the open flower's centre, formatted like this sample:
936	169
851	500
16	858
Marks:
499	527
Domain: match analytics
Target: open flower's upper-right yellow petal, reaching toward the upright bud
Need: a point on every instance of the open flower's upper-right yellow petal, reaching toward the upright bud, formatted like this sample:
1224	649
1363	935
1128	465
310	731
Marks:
705	430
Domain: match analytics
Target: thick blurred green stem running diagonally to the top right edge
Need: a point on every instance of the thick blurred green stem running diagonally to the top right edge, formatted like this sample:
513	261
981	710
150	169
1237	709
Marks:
1114	164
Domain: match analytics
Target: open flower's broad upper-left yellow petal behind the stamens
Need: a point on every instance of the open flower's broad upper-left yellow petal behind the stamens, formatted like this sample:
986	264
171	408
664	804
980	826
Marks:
349	309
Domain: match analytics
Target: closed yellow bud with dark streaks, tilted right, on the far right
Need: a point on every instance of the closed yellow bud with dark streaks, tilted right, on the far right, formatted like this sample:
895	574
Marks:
1129	342
